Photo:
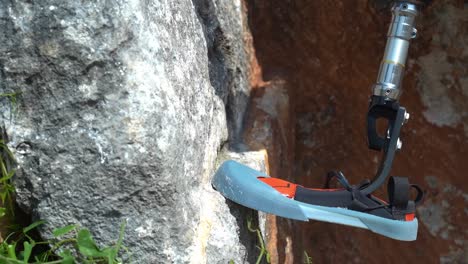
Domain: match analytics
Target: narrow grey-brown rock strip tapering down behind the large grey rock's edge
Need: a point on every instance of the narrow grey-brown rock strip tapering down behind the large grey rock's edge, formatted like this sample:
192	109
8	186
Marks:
228	65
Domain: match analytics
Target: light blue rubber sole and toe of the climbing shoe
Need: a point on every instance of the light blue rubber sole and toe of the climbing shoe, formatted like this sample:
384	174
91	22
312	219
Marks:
239	184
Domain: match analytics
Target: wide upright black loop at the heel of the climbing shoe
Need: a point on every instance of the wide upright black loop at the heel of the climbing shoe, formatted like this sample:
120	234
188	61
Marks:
398	189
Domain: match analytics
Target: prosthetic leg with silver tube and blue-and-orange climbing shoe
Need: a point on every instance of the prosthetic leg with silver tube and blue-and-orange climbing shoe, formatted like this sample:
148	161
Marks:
352	205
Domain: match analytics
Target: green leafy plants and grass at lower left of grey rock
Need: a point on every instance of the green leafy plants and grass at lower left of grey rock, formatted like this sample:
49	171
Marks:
70	244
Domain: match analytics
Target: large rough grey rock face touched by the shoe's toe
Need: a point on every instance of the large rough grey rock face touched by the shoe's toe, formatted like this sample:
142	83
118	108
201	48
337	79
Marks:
124	106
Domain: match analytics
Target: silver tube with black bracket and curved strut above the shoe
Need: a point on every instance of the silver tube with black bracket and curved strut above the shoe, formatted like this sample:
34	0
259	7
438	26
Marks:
387	90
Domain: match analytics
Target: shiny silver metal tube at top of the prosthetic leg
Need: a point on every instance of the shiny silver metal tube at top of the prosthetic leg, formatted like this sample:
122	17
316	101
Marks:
400	32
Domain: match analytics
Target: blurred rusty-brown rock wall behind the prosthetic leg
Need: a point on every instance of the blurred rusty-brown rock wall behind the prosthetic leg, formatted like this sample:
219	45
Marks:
315	63
